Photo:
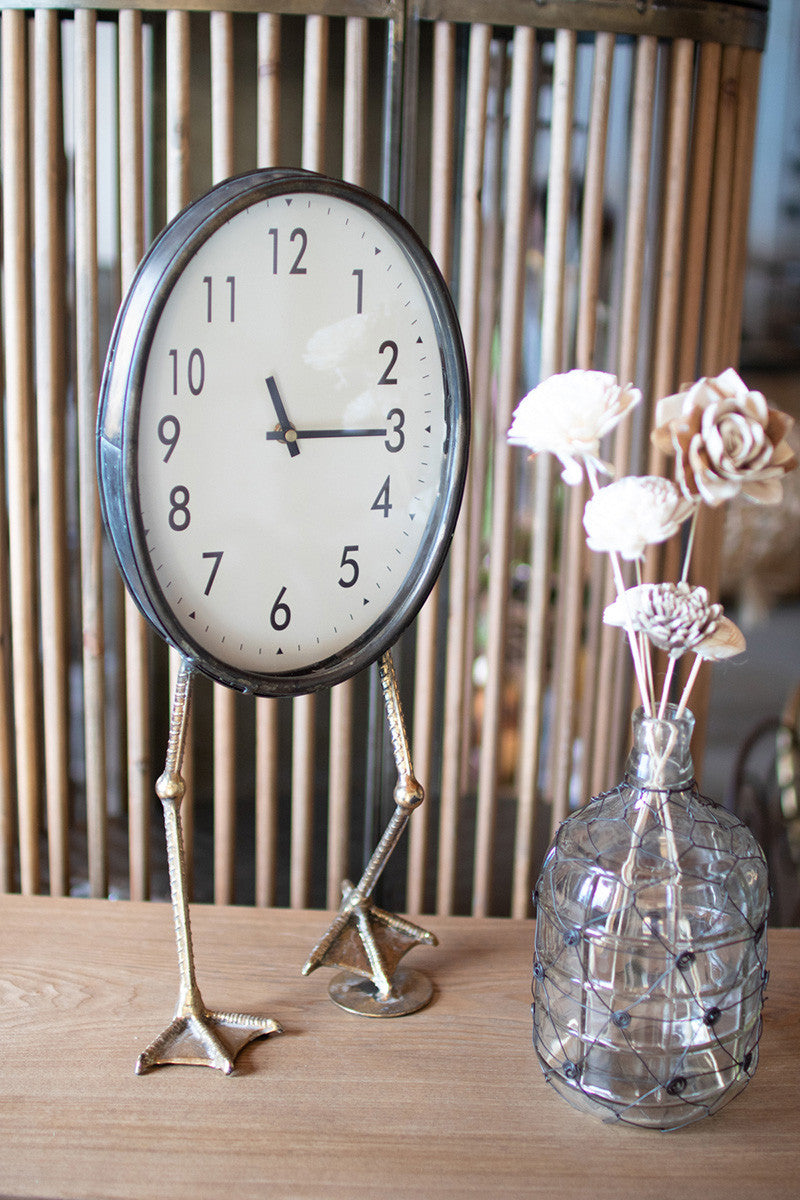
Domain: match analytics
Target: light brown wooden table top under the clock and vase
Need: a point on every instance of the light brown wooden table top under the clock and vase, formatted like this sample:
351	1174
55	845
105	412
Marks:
447	1103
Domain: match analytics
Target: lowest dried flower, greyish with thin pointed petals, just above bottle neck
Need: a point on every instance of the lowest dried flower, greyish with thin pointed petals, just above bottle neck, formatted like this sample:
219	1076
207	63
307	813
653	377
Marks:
677	617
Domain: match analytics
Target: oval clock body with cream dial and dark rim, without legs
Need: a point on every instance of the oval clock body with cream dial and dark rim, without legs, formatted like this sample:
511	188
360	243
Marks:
282	431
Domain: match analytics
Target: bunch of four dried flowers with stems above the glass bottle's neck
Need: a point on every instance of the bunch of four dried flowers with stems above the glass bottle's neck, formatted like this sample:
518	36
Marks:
726	441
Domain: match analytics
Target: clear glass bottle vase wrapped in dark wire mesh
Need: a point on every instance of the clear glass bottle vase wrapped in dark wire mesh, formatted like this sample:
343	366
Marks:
651	955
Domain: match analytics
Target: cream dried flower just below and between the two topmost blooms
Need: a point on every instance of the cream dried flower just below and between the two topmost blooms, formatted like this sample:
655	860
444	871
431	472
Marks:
634	513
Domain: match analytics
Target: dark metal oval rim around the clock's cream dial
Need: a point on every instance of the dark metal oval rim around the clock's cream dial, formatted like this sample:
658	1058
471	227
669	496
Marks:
119	412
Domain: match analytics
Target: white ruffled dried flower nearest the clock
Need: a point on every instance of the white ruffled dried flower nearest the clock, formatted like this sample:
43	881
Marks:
569	415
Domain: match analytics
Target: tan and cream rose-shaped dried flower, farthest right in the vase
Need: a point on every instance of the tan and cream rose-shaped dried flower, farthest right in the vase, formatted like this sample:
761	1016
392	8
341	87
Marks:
726	441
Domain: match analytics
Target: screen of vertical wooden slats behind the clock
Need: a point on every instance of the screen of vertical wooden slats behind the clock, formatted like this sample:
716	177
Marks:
584	185
